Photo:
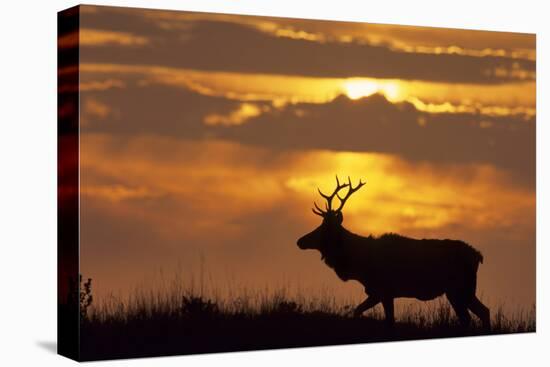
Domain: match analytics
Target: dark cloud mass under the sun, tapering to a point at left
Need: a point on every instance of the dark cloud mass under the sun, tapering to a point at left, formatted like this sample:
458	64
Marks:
374	124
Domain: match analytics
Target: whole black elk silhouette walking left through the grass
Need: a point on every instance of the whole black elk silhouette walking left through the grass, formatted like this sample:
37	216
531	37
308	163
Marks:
392	266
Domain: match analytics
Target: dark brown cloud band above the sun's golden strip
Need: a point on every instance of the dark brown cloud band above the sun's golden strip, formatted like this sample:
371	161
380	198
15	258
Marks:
226	46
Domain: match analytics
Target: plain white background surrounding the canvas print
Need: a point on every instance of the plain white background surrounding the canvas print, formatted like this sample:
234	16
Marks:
28	182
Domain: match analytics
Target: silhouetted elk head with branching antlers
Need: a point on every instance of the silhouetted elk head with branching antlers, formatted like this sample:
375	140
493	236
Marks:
329	231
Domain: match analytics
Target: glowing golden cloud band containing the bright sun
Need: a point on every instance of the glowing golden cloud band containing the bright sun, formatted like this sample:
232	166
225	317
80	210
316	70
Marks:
491	100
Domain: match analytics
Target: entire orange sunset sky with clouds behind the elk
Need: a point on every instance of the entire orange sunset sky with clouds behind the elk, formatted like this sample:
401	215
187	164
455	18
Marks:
204	138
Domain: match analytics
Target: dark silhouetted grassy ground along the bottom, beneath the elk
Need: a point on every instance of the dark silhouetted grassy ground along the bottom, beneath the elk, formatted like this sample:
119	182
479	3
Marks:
185	320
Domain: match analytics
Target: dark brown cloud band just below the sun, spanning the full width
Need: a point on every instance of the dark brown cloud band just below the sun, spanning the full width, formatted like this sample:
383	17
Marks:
371	124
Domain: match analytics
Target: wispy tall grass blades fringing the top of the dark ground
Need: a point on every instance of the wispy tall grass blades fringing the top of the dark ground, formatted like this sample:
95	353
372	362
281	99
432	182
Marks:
178	296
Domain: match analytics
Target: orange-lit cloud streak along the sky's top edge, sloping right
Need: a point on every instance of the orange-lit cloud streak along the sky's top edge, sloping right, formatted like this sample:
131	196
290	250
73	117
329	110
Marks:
396	37
